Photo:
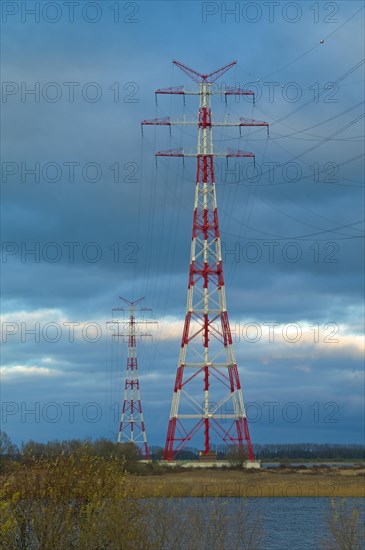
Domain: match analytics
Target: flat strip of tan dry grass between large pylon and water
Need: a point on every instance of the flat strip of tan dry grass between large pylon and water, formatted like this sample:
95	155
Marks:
309	482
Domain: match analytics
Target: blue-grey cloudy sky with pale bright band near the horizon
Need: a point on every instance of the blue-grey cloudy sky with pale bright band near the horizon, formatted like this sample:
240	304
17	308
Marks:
88	217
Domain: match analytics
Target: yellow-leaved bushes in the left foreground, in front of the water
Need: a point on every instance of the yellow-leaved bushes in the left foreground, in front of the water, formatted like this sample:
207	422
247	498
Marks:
87	502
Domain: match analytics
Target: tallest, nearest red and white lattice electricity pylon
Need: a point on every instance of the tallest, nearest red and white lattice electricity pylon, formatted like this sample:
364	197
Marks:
207	393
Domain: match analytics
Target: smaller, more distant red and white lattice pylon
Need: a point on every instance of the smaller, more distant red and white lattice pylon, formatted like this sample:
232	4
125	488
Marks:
131	427
